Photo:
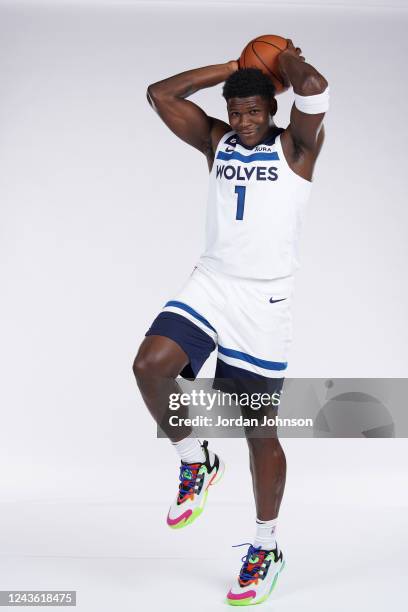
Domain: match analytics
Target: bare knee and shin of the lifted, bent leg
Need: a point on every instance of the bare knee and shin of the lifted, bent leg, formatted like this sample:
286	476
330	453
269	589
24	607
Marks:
157	364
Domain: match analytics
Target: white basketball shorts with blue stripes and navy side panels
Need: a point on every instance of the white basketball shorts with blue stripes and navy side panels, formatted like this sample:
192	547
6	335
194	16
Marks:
248	321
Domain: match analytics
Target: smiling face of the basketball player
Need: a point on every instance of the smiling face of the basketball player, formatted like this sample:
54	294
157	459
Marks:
251	118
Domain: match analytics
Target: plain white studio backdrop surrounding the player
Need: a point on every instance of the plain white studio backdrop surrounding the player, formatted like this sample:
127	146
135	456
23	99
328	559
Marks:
102	217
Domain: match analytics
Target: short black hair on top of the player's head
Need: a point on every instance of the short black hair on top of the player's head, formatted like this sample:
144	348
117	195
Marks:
247	82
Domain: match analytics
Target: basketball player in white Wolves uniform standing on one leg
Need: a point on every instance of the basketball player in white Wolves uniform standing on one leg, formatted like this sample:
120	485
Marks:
238	297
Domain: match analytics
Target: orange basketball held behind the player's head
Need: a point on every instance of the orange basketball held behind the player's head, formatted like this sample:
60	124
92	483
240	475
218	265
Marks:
262	52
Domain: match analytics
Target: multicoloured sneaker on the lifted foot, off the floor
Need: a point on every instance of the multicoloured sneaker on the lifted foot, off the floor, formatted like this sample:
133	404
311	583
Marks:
195	478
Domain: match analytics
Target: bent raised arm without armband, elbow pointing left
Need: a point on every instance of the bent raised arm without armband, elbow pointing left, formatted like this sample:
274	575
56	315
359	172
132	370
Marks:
187	120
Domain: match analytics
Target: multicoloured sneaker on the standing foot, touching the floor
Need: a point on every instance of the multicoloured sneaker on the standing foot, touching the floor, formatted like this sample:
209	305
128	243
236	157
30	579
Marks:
257	577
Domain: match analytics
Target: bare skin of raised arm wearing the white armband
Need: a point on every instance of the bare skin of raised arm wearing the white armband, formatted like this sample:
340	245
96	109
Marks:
305	129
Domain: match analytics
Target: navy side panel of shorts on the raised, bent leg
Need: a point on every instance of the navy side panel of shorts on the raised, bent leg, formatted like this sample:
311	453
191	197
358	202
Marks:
194	341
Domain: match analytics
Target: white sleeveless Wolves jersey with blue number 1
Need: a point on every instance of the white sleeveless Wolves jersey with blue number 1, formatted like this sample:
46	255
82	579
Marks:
254	211
